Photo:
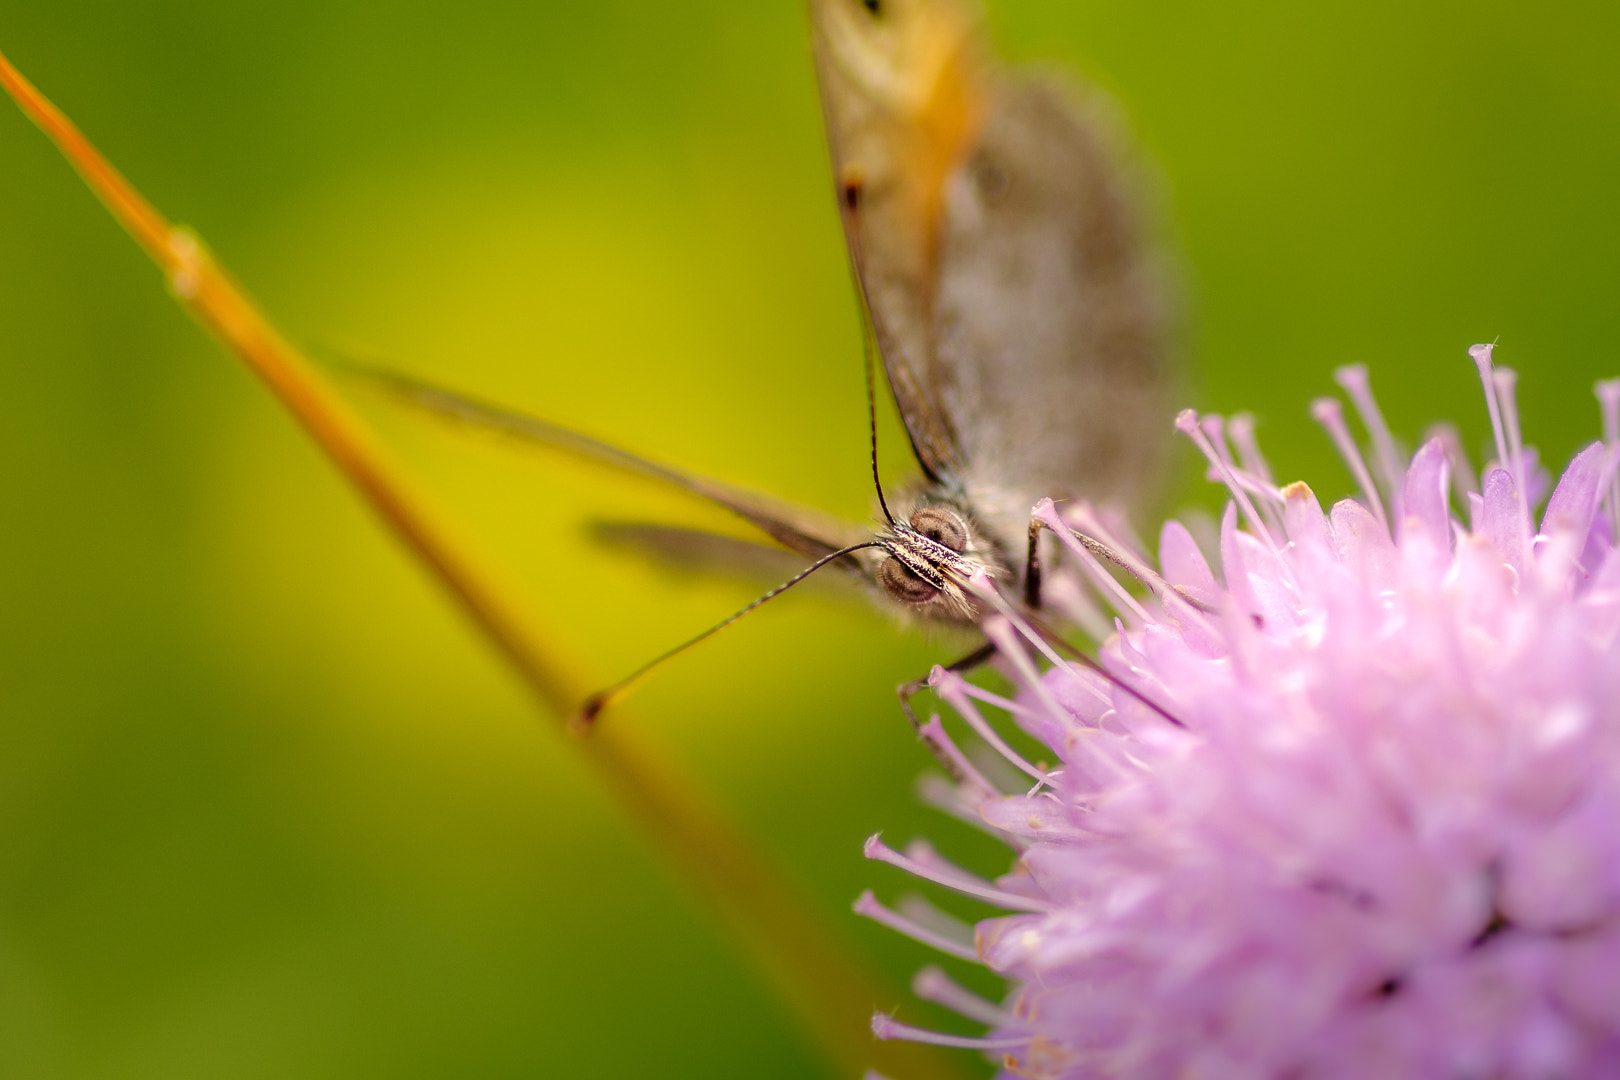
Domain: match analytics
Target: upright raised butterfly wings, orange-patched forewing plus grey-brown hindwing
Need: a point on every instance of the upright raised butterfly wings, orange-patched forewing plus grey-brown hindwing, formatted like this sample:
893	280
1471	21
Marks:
1012	291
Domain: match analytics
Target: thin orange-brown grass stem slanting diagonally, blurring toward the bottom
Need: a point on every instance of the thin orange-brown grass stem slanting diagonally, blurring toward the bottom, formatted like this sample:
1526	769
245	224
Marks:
824	984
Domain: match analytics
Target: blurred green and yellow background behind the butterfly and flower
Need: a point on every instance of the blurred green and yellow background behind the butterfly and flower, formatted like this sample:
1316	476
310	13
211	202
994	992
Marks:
268	809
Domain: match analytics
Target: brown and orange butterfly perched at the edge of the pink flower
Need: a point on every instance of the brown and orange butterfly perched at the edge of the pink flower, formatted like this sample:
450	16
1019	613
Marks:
1010	289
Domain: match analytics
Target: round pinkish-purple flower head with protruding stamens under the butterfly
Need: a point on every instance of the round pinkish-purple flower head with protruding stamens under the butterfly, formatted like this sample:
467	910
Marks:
1350	809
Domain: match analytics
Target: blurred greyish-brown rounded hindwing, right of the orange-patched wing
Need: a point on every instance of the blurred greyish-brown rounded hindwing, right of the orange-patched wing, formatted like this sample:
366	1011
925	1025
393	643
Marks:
1051	321
